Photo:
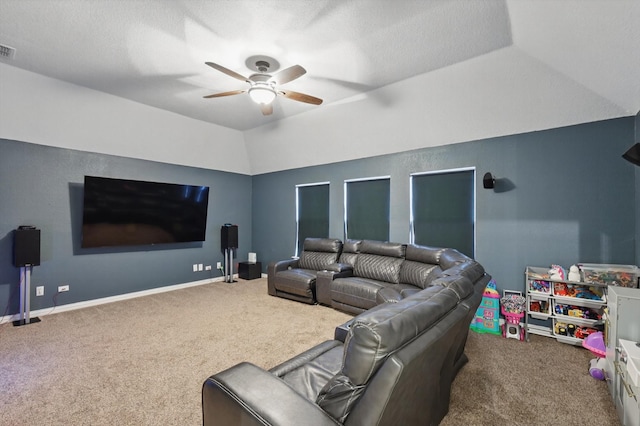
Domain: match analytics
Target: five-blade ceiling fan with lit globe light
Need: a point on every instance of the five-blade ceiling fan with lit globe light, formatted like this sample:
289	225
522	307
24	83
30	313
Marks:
264	87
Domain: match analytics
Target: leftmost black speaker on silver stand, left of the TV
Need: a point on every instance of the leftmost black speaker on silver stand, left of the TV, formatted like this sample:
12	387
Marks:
26	255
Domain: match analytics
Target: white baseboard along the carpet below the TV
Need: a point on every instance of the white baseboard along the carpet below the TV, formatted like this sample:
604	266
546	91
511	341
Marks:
110	299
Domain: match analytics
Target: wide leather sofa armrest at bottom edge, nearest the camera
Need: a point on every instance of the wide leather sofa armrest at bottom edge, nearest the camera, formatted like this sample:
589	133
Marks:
248	395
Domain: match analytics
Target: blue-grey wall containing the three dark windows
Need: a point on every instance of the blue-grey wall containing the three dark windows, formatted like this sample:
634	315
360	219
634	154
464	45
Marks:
562	196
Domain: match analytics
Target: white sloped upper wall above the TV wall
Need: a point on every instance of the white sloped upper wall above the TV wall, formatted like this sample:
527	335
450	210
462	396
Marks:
46	111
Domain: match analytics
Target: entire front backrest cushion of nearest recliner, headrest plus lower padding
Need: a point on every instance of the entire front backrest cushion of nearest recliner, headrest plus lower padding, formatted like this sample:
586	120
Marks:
374	336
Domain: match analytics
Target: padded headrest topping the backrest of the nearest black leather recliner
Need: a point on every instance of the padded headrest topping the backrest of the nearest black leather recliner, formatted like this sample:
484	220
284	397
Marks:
376	334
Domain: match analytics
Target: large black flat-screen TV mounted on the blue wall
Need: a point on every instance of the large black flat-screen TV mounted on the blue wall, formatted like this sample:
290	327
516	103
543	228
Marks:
120	212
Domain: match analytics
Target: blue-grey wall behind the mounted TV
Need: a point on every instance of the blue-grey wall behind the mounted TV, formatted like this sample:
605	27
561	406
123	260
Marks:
43	186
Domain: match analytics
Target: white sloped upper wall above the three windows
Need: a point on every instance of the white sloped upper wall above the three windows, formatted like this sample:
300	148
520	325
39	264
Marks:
501	93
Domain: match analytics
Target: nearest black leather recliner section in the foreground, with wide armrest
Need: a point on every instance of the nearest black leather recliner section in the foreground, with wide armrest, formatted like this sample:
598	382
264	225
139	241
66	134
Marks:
394	368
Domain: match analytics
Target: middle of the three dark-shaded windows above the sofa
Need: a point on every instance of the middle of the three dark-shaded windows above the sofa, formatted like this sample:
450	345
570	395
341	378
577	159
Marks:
367	205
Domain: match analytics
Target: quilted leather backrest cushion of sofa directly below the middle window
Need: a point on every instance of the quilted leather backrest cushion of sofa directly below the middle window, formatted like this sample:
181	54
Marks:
379	261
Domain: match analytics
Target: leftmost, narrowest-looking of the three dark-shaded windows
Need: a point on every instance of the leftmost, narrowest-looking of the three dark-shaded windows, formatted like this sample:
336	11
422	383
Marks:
312	212
